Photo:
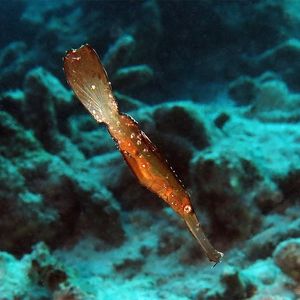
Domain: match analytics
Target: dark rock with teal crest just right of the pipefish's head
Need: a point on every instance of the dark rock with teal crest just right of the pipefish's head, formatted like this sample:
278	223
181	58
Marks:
221	181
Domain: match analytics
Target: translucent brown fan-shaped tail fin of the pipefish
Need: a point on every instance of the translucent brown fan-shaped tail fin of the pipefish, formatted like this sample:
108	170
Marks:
88	79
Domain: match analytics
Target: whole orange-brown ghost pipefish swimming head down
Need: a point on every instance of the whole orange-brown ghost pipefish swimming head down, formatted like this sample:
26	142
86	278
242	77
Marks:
88	79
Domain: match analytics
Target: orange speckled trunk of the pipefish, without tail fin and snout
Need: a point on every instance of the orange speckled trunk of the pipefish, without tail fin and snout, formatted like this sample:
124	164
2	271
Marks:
147	164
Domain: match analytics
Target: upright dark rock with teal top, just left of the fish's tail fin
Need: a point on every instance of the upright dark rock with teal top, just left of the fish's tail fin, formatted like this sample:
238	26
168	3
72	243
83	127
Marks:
51	114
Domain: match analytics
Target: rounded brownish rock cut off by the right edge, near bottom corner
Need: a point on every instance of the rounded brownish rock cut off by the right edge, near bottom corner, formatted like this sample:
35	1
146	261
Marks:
287	257
